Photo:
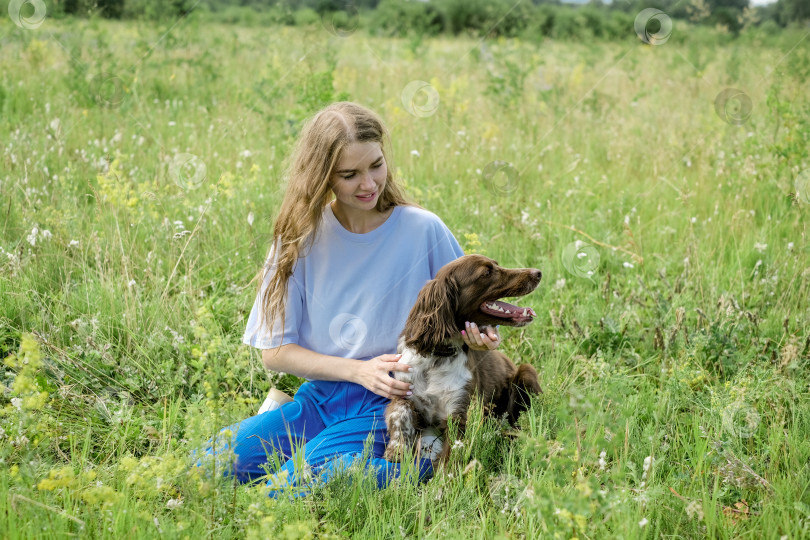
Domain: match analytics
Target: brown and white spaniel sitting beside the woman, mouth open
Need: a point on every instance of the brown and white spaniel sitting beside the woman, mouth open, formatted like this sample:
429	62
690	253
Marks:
445	371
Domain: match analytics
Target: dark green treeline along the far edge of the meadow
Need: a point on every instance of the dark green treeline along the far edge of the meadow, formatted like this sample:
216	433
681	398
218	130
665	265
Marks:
549	18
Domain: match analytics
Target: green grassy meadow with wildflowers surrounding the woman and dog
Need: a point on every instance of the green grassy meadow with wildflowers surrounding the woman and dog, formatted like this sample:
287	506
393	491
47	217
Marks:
662	189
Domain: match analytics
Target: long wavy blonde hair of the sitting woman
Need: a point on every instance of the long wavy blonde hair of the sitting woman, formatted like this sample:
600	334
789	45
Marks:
311	167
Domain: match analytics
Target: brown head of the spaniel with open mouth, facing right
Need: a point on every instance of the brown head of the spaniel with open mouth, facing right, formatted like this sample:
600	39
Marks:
468	289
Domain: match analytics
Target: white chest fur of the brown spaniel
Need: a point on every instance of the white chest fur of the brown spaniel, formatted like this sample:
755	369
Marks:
439	383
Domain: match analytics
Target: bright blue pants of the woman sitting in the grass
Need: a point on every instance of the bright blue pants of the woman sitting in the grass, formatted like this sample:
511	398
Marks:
332	421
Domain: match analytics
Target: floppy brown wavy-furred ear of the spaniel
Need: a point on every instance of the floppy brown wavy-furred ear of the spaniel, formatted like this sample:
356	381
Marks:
431	323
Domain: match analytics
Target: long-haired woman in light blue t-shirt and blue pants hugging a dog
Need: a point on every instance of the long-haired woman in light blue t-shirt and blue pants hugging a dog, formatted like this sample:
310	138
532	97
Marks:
349	257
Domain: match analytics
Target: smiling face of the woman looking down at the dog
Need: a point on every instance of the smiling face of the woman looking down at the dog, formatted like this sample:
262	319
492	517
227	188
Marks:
359	177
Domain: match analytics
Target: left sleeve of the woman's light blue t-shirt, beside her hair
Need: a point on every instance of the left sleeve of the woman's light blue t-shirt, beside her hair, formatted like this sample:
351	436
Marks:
257	333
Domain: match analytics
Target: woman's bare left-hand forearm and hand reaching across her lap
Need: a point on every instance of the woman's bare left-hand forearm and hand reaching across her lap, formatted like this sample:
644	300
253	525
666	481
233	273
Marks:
372	374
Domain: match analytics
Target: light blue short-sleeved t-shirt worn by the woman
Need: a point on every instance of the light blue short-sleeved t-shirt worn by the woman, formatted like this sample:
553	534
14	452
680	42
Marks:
350	294
